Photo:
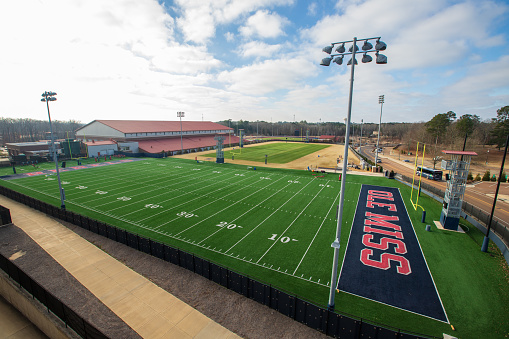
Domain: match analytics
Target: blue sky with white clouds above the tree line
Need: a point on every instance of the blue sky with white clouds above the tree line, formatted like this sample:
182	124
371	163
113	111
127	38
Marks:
250	59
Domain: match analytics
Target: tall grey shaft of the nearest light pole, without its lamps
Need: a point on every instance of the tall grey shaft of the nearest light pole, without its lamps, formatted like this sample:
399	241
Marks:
337	242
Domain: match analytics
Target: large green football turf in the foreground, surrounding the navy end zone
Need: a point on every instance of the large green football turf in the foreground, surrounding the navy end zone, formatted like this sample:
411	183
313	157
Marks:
277	226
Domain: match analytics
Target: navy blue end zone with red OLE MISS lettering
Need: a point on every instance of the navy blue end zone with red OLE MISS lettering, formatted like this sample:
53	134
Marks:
383	260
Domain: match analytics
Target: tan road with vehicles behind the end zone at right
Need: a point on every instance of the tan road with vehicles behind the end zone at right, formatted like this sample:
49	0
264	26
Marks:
480	195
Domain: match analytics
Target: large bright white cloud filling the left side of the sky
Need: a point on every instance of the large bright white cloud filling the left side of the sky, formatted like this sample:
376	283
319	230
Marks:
102	58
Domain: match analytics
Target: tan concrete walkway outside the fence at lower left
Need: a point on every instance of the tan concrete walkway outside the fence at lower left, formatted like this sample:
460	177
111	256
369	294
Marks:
146	308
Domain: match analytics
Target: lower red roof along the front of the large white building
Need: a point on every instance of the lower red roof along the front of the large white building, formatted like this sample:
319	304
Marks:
173	144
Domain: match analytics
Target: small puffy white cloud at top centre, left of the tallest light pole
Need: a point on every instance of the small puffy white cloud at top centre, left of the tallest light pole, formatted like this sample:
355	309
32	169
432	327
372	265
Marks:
264	24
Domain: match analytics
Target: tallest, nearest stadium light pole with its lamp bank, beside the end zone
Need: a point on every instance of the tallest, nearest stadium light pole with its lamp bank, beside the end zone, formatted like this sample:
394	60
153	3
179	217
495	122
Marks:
338	59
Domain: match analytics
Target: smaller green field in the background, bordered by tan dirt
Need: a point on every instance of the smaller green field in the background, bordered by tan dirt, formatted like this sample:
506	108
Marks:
277	153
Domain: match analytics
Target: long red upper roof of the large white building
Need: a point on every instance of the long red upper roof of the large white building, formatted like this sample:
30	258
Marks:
144	126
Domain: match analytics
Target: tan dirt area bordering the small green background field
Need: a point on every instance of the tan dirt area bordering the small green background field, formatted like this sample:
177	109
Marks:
325	158
